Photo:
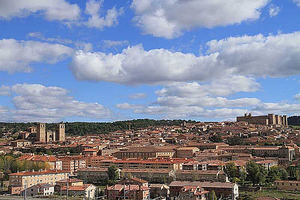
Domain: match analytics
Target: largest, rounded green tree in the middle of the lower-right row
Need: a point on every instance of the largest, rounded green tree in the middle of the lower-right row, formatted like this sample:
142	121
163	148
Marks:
256	173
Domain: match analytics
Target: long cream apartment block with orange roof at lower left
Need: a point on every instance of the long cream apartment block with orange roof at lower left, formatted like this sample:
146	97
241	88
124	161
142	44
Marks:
21	180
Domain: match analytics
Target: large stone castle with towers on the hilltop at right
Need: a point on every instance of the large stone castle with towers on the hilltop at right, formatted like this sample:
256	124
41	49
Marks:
269	119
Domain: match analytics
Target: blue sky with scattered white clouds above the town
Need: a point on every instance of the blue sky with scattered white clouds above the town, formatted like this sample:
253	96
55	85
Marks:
108	60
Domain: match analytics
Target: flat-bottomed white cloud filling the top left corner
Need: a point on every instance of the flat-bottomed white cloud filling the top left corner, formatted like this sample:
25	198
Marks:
51	9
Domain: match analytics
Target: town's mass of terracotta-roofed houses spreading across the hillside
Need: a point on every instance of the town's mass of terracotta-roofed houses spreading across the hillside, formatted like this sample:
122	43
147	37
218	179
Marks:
168	161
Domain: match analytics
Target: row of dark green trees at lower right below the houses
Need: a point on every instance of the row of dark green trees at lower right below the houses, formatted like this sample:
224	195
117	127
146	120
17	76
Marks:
255	173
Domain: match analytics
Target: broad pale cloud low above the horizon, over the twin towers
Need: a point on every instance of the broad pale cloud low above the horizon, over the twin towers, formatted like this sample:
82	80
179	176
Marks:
35	102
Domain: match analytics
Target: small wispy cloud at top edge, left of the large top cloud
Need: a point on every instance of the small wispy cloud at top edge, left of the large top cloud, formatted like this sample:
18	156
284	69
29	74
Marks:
95	20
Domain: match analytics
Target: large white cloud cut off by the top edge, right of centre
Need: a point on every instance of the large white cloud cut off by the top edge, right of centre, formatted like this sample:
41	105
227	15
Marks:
169	18
